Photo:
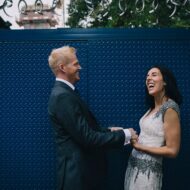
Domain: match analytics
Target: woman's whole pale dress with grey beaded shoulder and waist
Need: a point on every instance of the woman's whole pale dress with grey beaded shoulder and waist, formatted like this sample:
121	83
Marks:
144	171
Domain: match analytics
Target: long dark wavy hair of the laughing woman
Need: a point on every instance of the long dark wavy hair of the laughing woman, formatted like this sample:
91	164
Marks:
171	88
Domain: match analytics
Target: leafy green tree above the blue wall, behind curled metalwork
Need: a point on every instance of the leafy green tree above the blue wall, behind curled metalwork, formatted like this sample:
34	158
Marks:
84	14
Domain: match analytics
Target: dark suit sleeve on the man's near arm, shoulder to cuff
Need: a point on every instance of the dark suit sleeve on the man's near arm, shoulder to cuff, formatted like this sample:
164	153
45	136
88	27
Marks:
74	121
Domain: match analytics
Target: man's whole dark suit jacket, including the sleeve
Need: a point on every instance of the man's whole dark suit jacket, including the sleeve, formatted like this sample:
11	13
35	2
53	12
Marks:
79	140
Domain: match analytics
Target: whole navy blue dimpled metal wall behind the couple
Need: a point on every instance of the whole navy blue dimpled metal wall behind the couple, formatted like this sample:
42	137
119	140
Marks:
115	62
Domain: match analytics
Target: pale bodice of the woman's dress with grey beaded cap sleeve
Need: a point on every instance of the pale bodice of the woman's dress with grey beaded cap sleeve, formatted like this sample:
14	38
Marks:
152	130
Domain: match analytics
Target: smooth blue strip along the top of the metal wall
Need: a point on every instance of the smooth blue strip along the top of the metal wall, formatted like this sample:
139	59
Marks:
95	33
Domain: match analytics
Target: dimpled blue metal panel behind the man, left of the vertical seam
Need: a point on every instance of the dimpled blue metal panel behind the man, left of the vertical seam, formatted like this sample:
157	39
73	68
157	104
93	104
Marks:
27	150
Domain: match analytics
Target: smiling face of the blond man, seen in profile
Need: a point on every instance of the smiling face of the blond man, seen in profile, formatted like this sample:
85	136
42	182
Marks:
72	69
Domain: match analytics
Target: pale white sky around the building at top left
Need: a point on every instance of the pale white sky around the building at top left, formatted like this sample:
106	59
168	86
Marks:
13	11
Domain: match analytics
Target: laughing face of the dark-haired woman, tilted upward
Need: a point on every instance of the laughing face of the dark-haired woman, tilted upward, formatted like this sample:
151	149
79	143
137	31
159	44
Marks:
154	82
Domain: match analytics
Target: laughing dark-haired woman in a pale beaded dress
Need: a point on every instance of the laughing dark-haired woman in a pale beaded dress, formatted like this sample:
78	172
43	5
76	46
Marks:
160	132
